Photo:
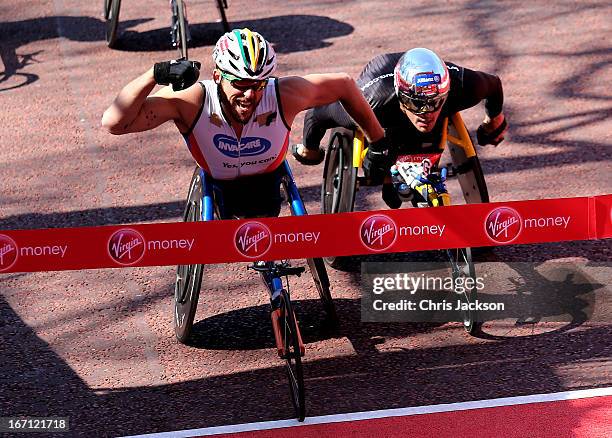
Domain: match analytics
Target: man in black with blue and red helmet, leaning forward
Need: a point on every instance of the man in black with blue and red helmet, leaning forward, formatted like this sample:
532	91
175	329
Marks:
411	94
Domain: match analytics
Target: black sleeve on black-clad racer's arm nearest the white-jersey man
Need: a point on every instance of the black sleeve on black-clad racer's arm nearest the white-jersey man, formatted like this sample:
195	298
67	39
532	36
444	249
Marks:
320	119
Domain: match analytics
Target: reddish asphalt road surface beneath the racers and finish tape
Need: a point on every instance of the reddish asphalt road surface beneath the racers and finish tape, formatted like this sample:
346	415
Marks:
98	346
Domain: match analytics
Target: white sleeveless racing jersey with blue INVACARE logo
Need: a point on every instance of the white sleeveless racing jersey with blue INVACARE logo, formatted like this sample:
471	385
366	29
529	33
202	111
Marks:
262	147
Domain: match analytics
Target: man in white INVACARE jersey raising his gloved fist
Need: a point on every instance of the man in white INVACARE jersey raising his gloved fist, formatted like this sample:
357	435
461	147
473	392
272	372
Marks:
236	124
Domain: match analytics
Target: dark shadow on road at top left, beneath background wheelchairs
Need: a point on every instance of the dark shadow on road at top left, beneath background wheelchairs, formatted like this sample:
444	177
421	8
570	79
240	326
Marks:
282	31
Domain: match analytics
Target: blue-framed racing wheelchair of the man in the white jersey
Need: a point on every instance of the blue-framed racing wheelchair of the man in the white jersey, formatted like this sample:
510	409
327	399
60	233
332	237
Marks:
204	204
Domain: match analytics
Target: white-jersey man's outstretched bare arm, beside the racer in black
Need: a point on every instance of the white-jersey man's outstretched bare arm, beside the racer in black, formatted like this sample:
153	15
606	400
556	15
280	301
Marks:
301	93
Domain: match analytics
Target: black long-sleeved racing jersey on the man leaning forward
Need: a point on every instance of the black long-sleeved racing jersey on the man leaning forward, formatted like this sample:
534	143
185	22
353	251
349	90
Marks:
467	89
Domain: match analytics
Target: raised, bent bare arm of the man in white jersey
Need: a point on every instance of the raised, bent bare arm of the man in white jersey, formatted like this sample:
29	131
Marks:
133	110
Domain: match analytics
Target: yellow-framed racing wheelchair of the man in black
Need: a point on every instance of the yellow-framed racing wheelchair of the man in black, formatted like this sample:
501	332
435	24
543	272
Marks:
422	182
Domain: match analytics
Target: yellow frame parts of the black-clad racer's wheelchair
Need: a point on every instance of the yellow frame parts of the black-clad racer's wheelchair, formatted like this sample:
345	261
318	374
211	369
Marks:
463	141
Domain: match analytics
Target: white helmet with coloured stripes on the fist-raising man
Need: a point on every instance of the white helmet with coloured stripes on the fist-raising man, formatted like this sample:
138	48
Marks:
245	55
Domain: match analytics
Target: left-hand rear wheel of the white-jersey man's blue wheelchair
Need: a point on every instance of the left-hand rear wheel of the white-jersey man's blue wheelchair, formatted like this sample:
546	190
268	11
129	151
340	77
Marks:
188	277
